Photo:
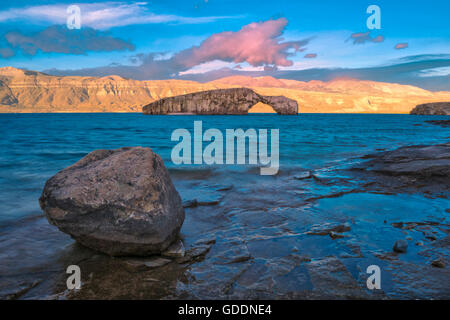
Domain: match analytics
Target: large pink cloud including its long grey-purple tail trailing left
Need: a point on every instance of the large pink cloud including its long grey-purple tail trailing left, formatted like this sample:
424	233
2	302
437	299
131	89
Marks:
258	44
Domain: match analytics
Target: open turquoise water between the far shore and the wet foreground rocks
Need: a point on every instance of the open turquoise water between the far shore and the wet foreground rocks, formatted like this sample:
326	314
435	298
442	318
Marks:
36	146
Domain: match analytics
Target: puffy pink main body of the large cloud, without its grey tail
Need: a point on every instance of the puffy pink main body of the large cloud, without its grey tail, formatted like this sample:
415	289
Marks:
259	43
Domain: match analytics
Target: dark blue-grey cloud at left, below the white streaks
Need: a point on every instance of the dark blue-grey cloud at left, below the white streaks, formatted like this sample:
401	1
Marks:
59	39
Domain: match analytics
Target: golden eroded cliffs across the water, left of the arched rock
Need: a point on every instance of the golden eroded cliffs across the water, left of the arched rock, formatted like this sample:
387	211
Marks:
29	91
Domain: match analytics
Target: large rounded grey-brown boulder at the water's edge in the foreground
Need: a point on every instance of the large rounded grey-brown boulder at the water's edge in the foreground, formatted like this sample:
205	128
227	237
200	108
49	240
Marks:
120	202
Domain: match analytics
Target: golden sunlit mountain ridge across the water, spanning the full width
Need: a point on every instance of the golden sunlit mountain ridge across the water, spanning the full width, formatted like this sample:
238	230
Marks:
23	91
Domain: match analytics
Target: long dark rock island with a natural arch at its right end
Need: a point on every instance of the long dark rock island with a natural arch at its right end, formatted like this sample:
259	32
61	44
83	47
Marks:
221	101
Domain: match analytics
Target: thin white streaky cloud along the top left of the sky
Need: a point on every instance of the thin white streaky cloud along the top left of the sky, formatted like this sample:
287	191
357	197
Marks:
101	16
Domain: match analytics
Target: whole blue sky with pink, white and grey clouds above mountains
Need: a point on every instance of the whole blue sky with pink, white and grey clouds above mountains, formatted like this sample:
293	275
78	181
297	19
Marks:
406	42
